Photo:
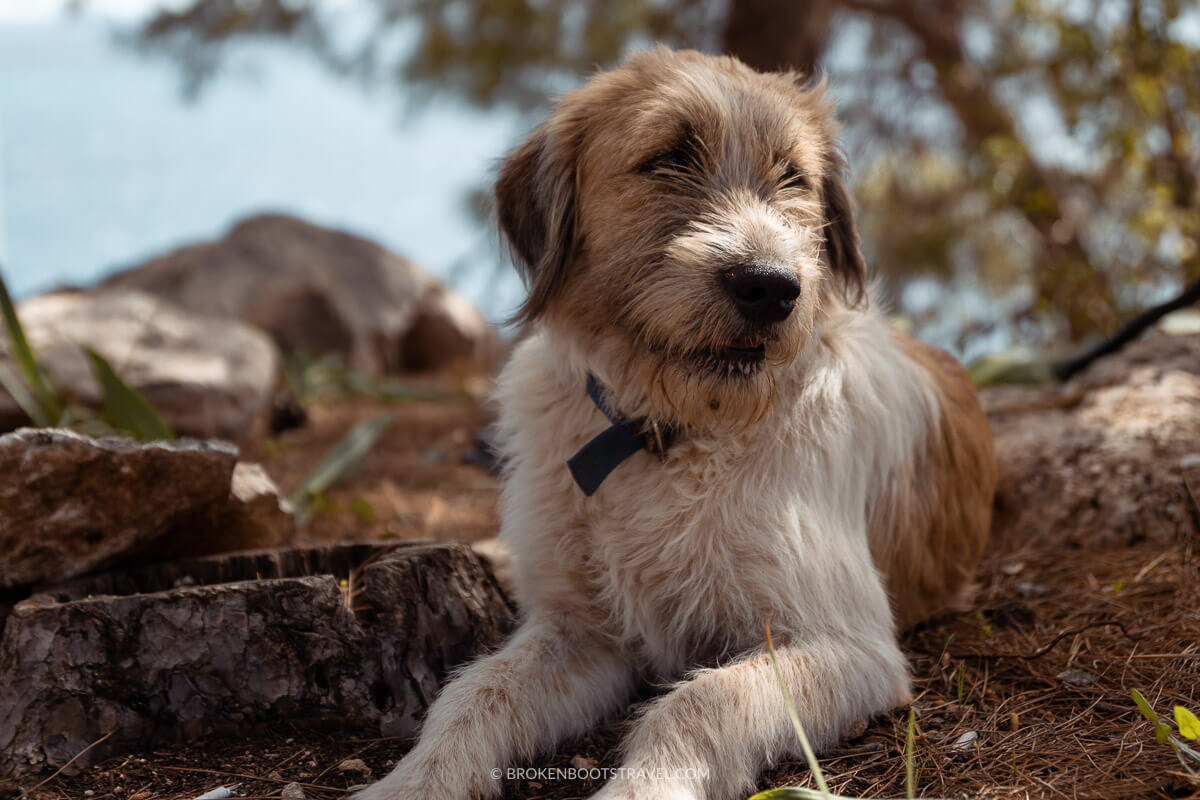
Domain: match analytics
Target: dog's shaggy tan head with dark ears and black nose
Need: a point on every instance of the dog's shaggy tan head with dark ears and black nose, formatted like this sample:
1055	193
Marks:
685	218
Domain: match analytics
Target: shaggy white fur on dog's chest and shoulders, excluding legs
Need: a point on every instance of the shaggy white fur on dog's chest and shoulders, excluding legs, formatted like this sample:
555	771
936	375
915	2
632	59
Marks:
682	560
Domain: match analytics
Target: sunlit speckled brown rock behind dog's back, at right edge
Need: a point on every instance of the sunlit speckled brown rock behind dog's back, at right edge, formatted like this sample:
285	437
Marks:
1101	460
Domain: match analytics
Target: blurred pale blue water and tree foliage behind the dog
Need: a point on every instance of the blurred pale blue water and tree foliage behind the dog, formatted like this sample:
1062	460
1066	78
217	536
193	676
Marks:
1027	171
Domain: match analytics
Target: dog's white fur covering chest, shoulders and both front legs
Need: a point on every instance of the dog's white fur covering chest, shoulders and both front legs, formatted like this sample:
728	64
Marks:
676	564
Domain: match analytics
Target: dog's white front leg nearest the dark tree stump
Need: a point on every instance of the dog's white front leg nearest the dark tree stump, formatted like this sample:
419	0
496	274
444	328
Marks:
550	682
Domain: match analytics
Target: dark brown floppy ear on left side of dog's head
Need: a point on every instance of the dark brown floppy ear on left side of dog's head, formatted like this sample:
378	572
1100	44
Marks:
537	208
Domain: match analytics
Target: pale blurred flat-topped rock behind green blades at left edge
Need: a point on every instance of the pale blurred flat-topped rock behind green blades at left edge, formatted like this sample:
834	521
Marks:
207	377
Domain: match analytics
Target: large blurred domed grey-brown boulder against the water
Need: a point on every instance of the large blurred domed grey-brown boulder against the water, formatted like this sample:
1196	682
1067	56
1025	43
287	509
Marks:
321	292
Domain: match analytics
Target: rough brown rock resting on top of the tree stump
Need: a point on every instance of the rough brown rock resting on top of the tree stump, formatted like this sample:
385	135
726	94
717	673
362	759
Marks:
74	504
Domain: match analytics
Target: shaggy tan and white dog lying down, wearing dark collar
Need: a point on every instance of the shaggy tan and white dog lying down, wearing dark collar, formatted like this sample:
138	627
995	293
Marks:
707	425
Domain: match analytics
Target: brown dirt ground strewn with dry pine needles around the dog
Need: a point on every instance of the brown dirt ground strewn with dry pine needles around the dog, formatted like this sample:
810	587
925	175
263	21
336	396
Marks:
1023	694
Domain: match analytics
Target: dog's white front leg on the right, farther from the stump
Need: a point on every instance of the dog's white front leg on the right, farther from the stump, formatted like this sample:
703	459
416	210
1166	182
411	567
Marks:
711	736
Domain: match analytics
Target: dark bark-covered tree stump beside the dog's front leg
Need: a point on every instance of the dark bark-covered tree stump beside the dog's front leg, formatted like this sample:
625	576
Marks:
259	639
